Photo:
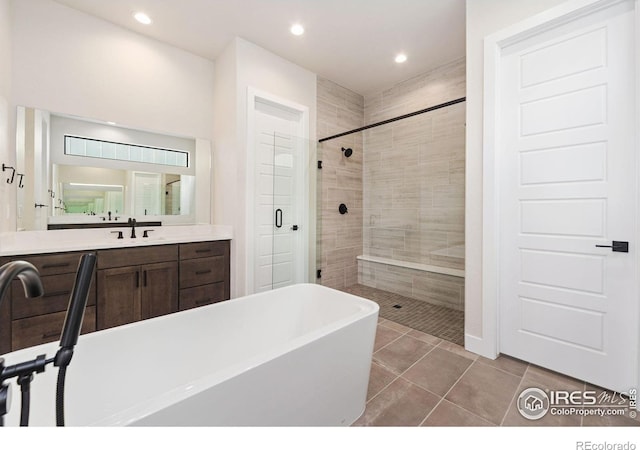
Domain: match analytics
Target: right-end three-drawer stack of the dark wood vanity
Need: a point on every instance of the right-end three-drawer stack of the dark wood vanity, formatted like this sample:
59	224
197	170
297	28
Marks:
204	273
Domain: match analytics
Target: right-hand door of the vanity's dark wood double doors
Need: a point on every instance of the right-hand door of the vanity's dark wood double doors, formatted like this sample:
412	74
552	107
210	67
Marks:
159	289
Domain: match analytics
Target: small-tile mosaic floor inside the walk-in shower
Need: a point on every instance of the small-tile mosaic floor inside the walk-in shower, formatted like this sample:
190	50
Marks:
445	323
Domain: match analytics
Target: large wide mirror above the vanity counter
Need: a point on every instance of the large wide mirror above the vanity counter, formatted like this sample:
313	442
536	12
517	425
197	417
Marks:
81	171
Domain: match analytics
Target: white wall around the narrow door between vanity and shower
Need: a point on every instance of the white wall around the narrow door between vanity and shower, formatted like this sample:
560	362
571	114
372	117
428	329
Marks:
243	65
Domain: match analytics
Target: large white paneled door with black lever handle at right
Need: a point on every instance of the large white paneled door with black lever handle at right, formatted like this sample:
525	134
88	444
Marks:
567	190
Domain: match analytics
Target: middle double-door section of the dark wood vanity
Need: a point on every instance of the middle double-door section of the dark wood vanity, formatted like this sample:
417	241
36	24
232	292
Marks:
136	283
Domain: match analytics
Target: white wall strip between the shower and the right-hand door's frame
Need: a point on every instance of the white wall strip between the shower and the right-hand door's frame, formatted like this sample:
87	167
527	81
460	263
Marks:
484	17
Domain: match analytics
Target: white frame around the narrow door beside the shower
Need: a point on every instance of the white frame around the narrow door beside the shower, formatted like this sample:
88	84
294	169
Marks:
254	95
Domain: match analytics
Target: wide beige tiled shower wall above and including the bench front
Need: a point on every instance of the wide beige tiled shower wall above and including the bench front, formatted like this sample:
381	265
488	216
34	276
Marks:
413	180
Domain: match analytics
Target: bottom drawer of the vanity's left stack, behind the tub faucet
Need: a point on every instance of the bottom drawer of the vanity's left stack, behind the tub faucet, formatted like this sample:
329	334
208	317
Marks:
46	328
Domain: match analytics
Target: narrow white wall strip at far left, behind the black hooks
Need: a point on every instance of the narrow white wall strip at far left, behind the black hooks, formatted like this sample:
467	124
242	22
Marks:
7	155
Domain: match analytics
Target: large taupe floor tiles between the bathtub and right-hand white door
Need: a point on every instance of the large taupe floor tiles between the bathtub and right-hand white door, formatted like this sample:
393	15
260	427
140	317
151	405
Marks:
418	379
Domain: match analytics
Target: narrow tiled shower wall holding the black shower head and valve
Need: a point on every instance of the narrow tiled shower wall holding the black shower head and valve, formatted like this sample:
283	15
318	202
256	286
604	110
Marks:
340	181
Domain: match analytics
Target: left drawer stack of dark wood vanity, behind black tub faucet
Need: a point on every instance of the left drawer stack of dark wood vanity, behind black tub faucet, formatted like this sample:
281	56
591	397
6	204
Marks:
35	321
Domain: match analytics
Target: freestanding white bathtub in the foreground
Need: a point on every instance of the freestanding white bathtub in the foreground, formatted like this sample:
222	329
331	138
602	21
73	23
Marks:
299	355
